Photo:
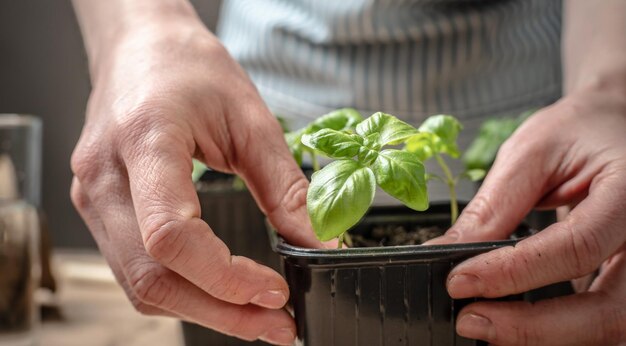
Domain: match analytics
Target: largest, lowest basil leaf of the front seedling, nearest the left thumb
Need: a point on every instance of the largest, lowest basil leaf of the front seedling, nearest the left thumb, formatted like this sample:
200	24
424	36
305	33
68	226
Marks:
338	197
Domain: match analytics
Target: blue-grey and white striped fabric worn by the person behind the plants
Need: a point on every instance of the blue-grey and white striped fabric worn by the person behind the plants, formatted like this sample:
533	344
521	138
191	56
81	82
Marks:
410	58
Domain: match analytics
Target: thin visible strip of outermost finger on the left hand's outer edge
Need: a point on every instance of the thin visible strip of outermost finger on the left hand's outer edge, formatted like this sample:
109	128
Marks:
89	214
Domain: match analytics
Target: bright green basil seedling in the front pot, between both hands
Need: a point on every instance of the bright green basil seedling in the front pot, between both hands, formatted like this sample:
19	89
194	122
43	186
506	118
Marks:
341	193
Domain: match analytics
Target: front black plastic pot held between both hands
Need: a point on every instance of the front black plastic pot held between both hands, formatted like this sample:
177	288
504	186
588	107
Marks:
381	295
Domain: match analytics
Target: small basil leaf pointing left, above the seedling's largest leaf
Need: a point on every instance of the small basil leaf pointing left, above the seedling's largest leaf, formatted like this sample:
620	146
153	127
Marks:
335	144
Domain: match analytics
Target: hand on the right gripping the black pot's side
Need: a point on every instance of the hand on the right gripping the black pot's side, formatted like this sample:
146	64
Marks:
570	154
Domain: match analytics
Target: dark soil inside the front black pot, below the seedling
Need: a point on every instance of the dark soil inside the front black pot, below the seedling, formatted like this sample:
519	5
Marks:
394	235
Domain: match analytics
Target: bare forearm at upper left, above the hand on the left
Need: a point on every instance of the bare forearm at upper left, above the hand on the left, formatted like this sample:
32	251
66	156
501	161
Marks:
106	23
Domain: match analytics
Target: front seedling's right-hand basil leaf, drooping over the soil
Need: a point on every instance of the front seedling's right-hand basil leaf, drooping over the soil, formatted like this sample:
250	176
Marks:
402	175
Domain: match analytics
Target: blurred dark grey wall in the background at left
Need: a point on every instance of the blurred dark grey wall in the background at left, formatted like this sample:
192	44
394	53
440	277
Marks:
43	71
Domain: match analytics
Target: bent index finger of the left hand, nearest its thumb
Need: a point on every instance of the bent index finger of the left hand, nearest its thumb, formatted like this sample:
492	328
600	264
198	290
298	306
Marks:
168	210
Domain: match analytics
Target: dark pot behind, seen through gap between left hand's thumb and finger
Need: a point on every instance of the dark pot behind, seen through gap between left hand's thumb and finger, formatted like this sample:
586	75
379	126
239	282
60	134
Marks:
238	222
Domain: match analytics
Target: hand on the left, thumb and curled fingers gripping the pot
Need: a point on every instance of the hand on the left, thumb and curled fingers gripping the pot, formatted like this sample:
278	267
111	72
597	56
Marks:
162	95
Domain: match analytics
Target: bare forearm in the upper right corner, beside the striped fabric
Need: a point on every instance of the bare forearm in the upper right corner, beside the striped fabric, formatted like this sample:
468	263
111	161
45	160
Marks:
594	48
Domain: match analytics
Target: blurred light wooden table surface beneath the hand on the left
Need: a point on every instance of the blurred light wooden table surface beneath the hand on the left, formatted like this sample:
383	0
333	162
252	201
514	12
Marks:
95	311
